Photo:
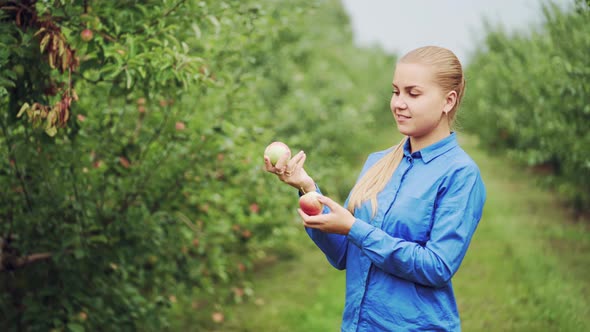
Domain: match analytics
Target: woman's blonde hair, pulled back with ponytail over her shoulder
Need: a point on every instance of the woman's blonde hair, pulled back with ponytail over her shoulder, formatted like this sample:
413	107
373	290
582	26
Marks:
448	74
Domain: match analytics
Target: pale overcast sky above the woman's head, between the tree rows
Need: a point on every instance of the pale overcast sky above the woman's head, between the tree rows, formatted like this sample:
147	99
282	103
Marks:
402	25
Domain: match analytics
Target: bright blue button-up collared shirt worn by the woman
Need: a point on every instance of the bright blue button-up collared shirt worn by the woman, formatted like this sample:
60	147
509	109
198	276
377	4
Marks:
399	263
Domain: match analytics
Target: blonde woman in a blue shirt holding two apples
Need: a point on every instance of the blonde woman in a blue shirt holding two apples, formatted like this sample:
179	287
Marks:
407	224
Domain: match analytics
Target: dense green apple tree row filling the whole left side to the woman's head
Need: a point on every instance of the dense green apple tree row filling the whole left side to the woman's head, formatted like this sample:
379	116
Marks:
149	181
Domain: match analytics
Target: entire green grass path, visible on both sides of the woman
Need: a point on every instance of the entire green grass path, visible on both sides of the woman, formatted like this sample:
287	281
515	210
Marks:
527	269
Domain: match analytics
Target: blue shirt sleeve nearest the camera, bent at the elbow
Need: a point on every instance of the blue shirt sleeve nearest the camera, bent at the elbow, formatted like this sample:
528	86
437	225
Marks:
457	213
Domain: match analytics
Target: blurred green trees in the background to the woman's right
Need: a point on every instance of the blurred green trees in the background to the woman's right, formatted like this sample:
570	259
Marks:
532	94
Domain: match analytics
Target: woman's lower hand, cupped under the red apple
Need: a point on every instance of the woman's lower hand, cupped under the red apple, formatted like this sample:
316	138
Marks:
338	221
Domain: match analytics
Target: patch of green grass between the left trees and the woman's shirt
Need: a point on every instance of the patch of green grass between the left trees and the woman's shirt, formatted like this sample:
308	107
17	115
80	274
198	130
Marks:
303	294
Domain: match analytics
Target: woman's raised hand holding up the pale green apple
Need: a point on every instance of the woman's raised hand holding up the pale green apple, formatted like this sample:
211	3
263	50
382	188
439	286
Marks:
290	171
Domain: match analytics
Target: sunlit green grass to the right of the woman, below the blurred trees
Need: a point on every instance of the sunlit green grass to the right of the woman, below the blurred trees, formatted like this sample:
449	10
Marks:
528	264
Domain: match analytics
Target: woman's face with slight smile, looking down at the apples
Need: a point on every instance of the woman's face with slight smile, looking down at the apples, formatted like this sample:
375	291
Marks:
418	103
